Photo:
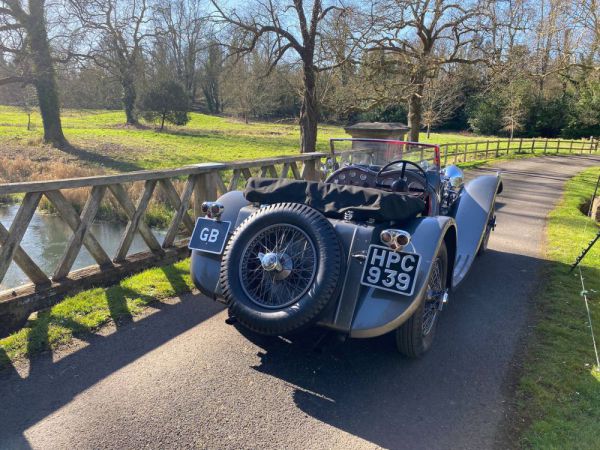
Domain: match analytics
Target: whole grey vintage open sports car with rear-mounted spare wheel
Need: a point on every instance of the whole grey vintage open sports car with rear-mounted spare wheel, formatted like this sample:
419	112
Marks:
376	247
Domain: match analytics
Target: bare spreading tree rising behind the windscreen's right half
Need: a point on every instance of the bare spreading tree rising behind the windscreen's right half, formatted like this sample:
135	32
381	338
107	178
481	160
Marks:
420	36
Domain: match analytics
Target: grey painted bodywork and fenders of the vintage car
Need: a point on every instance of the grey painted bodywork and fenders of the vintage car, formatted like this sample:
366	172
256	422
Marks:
361	311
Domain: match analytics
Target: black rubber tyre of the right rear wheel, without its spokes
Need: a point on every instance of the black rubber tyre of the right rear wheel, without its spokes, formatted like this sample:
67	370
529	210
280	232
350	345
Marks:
411	340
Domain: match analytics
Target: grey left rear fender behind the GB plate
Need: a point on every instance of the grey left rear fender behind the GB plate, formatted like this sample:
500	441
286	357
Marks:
205	267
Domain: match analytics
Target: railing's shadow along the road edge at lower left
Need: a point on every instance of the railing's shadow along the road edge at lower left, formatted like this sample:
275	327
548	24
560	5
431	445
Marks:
52	384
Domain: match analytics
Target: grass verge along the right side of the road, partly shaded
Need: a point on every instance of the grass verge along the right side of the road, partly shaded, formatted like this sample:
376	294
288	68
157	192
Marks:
559	392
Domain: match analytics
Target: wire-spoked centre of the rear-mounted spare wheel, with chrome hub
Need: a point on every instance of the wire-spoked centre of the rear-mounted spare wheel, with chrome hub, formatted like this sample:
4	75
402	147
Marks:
278	266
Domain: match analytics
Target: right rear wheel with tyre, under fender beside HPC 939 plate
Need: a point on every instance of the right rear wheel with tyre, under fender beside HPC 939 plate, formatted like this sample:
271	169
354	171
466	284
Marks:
416	335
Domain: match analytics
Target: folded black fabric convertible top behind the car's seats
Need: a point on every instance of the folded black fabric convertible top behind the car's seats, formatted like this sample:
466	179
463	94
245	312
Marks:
333	200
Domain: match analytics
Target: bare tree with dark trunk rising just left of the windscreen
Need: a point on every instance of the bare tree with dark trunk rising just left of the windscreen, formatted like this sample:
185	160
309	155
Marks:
295	27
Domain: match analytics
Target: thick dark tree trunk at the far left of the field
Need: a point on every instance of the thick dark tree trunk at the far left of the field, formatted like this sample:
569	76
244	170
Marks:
44	75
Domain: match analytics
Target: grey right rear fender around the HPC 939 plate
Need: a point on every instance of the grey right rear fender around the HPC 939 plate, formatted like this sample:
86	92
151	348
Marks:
377	311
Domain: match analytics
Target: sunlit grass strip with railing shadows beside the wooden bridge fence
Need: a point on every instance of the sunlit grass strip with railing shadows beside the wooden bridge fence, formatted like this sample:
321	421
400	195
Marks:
85	312
